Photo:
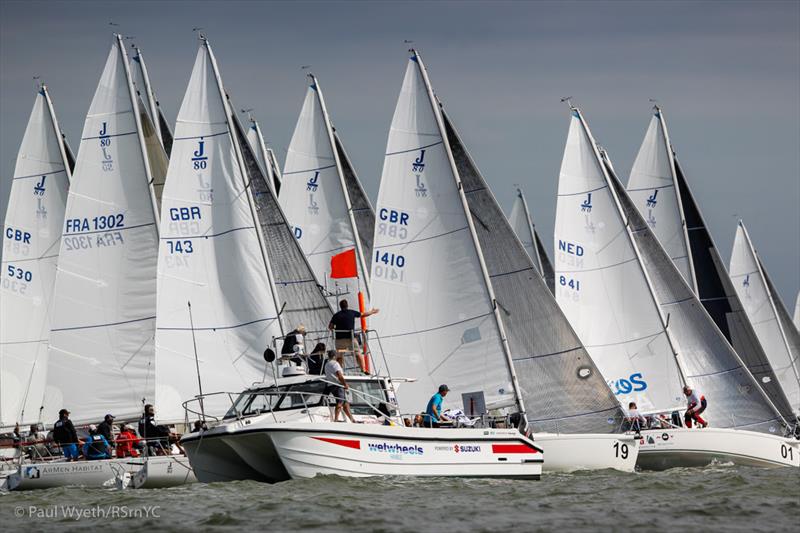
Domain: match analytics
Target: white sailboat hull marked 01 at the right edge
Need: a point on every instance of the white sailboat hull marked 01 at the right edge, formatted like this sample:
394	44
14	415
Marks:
661	449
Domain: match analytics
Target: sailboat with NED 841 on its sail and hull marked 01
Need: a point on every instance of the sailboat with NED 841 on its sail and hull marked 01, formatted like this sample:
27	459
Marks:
645	328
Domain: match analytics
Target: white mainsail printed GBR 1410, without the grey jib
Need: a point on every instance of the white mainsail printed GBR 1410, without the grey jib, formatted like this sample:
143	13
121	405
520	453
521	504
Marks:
436	321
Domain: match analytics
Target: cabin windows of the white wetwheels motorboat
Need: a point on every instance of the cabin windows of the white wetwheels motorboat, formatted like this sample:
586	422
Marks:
364	397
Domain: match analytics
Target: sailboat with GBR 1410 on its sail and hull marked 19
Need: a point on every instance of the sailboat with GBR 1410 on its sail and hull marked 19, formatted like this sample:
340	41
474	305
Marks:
462	303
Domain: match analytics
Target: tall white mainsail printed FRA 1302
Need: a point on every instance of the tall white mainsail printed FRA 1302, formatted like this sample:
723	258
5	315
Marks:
101	342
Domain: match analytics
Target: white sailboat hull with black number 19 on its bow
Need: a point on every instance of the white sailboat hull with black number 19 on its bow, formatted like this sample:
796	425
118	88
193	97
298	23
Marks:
569	453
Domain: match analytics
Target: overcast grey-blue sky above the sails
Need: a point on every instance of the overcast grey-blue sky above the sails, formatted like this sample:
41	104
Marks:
726	73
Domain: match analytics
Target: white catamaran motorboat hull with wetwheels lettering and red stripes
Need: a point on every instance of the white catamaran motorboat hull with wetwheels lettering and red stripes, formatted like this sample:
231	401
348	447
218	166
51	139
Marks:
280	451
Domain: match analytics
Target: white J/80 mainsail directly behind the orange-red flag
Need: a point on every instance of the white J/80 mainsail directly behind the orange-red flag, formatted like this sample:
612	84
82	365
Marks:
315	198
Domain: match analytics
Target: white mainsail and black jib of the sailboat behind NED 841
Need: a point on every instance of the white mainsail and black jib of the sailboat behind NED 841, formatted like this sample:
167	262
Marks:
659	191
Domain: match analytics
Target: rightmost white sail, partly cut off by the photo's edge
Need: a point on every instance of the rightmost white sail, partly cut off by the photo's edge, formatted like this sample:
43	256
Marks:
762	307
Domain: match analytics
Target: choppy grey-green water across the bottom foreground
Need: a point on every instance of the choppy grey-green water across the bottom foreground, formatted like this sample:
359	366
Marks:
717	498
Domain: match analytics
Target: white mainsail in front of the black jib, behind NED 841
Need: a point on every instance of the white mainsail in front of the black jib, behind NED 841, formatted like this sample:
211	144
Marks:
652	188
